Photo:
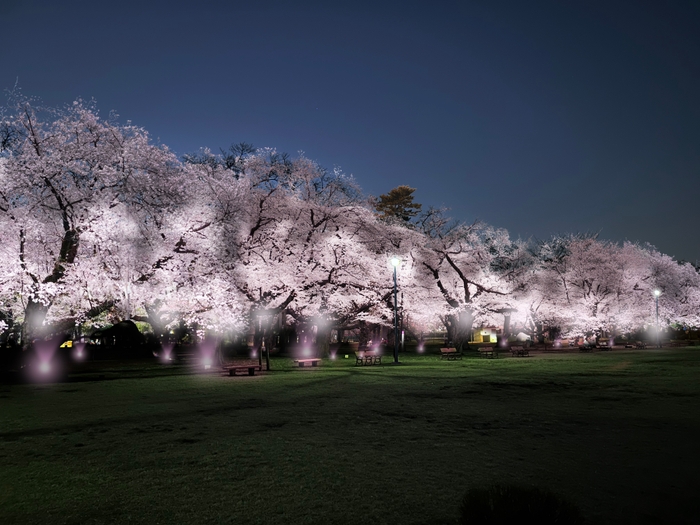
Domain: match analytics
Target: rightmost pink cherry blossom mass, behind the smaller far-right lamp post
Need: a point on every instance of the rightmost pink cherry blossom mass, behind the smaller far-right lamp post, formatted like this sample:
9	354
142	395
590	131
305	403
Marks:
584	285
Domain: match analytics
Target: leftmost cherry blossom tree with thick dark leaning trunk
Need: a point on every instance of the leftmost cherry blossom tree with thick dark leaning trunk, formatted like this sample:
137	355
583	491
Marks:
61	170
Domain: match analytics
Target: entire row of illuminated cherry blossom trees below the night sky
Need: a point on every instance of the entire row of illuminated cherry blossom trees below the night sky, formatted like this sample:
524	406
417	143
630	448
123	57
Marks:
98	224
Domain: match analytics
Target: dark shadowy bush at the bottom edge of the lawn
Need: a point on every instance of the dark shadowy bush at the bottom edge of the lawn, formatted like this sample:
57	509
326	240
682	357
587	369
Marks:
506	504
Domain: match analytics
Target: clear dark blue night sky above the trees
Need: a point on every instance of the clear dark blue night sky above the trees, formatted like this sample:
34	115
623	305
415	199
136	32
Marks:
540	117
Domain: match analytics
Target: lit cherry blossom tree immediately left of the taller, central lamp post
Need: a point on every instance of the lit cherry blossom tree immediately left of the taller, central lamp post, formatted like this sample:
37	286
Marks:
303	246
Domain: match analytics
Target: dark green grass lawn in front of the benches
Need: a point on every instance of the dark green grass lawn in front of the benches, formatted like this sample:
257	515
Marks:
617	433
